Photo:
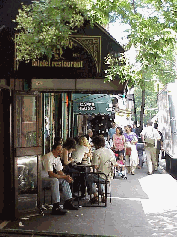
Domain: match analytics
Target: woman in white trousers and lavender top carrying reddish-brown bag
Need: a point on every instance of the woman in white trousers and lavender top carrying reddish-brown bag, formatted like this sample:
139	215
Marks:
131	155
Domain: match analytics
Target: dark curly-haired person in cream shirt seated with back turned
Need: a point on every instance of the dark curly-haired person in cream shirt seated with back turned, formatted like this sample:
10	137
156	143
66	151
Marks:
103	161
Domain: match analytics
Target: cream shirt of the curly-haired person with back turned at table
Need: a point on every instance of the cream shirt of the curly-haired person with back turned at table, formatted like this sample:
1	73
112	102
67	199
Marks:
103	157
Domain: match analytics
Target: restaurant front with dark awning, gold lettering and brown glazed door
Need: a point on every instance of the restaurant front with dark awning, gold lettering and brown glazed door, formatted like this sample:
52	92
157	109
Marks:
42	102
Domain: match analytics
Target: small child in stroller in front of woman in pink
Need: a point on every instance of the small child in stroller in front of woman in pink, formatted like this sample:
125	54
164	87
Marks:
120	170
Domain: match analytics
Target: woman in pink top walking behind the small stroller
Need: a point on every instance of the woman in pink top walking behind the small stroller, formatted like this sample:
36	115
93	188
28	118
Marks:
119	142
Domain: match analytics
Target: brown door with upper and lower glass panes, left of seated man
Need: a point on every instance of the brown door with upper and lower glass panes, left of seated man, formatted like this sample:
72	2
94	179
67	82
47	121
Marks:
28	149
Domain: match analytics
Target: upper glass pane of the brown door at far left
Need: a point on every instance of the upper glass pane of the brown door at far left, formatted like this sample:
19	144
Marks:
26	121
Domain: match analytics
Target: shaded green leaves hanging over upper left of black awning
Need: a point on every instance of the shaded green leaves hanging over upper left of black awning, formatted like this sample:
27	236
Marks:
44	24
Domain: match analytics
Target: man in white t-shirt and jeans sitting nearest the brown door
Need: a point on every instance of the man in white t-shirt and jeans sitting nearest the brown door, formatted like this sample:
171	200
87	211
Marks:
53	175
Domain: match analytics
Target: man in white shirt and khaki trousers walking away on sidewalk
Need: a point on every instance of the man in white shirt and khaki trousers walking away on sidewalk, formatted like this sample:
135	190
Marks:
150	136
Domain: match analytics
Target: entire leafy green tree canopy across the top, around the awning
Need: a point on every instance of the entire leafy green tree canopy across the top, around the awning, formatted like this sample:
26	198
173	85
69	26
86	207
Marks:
153	28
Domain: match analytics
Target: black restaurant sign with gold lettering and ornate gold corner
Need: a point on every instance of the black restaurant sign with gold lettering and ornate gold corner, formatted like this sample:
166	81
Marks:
81	58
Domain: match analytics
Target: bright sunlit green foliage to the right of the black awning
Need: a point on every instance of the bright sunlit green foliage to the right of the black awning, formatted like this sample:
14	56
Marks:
153	34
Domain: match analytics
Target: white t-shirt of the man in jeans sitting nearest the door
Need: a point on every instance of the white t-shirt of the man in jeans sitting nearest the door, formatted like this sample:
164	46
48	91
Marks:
48	162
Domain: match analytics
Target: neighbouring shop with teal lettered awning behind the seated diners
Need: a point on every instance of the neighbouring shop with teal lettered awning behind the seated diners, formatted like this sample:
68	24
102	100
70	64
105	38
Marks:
92	111
